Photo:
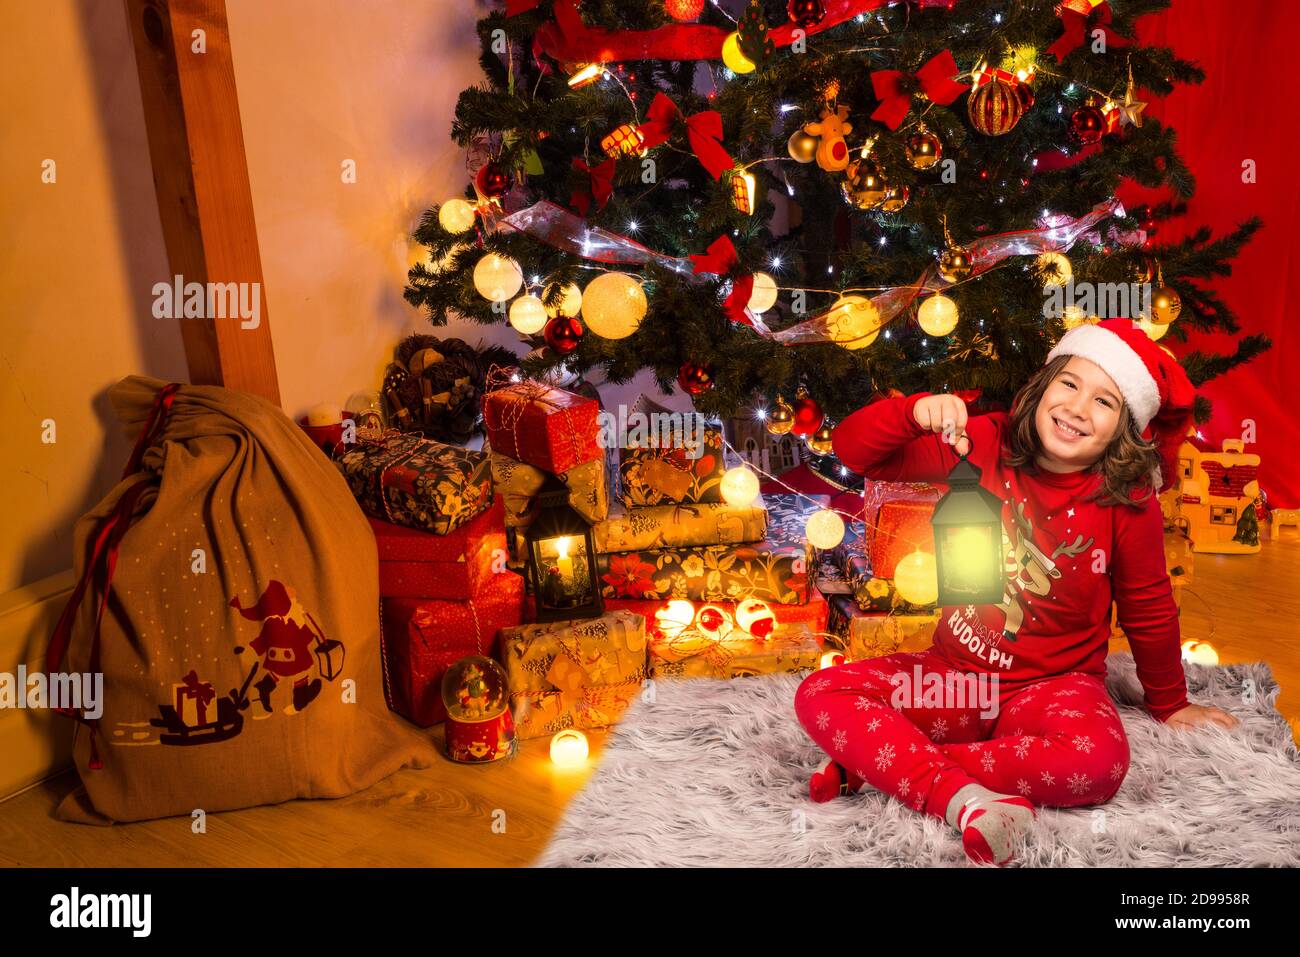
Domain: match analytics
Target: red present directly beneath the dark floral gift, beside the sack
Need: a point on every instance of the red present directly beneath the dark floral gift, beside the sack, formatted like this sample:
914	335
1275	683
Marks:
419	565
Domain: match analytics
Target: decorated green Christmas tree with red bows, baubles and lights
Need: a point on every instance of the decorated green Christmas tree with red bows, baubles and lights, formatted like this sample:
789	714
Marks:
756	198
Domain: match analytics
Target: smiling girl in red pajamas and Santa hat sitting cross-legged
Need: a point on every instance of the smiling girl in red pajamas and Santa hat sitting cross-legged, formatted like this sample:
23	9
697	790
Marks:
1080	484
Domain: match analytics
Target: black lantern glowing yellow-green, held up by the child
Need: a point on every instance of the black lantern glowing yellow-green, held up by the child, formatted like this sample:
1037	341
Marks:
969	540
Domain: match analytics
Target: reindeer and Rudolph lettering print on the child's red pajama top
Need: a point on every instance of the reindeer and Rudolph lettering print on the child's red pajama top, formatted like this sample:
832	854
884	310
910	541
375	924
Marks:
1029	570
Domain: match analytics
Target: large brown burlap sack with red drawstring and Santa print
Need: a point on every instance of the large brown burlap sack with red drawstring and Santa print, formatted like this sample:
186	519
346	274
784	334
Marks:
228	592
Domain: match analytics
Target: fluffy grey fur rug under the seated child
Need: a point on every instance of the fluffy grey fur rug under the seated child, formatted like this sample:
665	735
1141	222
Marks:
716	773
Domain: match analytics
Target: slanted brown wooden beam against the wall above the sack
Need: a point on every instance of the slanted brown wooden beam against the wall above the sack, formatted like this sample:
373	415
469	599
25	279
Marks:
201	177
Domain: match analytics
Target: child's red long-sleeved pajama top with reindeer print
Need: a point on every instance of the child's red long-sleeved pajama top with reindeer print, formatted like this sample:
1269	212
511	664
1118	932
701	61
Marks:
1067	560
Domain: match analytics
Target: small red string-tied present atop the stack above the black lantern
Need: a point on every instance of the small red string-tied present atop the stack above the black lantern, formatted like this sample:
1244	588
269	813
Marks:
544	427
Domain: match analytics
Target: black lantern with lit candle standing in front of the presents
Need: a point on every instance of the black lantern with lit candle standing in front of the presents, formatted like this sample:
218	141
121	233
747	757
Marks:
562	560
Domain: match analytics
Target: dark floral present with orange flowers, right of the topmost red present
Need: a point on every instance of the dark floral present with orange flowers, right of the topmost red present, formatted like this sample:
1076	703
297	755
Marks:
669	475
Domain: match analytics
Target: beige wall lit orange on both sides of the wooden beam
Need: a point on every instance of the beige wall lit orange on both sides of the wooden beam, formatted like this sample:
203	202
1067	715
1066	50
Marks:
319	83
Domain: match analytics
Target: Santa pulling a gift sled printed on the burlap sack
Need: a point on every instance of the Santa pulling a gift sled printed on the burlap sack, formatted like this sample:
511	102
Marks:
291	646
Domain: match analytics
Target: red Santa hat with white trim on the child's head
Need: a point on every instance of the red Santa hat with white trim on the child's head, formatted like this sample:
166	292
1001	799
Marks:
1155	387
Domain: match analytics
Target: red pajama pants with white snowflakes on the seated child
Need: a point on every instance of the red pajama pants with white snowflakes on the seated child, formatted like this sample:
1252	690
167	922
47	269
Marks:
1058	742
